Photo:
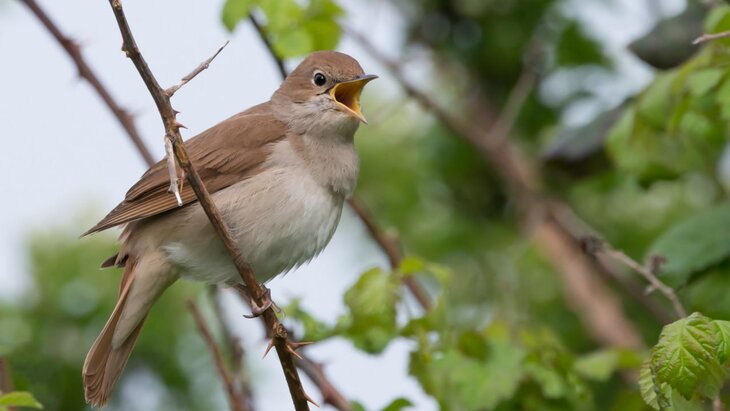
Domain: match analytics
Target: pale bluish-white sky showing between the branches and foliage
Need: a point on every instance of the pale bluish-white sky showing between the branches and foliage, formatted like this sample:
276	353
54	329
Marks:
64	153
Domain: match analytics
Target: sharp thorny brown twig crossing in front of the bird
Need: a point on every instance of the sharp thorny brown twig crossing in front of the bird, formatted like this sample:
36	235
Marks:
172	128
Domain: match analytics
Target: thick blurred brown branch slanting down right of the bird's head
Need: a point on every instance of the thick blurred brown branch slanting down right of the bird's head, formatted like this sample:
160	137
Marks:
599	309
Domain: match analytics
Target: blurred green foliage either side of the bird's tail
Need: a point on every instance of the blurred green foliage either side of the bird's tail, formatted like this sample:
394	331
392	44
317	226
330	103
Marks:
47	333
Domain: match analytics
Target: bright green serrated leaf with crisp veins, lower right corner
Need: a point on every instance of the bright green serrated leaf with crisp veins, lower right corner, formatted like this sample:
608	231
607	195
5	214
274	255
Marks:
686	357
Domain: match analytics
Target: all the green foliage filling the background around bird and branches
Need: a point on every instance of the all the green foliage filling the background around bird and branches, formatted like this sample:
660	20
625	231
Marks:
650	174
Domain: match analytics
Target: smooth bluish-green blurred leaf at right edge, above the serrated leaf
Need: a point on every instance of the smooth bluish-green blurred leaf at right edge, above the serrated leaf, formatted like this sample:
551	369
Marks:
694	244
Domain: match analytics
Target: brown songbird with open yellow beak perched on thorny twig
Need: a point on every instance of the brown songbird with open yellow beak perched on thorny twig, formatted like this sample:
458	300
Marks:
279	172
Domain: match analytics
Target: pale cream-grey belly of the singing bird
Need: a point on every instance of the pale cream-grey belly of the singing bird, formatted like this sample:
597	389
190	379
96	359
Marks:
281	218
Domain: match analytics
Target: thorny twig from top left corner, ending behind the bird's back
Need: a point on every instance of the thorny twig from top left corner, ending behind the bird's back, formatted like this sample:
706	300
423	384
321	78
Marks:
85	72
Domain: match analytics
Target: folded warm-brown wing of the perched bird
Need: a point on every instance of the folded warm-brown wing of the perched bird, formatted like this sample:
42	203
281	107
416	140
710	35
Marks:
225	154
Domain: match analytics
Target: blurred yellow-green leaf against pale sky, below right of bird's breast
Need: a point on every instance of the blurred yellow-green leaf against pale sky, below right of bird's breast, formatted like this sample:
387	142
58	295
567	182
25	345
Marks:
372	303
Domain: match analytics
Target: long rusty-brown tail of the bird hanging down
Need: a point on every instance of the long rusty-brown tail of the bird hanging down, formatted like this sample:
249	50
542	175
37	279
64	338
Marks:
143	281
